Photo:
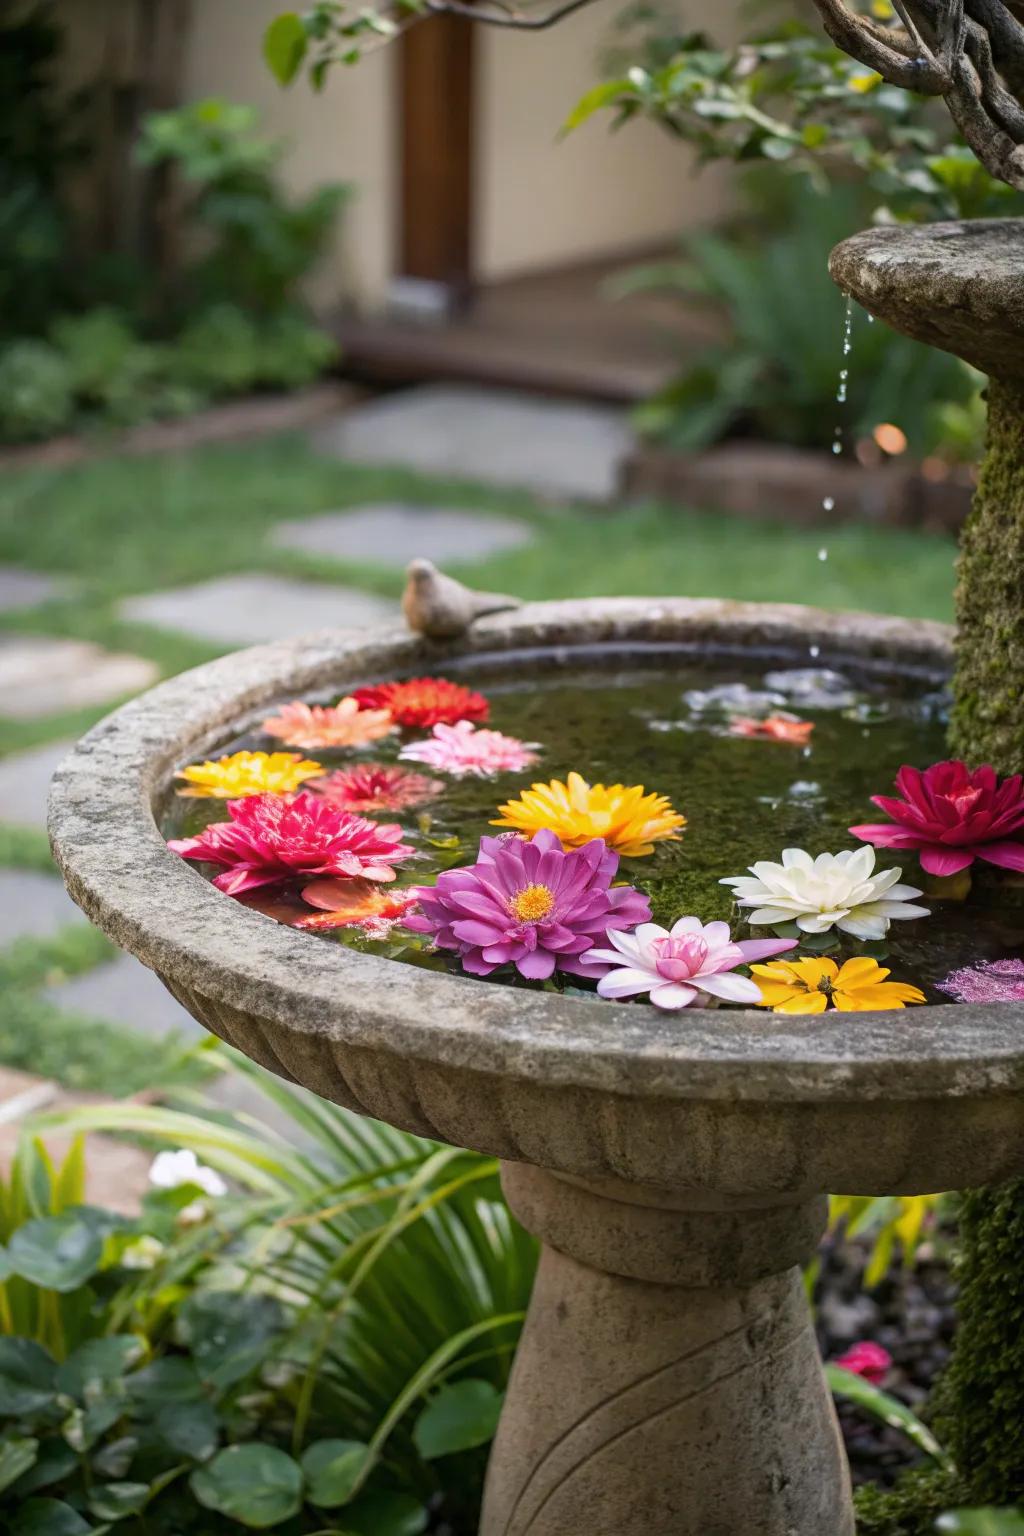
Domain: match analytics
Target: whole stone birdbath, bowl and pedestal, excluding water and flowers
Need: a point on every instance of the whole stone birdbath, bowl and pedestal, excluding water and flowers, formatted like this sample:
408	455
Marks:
675	1167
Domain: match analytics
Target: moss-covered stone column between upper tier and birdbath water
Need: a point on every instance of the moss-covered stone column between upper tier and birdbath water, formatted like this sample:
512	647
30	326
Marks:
988	721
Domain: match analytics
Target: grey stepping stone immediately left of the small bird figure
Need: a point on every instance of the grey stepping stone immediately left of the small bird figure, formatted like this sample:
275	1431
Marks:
246	611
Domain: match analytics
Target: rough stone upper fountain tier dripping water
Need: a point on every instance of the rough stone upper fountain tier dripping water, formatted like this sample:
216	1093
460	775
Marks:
957	286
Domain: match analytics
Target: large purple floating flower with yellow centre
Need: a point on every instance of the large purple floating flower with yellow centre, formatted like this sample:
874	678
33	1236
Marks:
530	904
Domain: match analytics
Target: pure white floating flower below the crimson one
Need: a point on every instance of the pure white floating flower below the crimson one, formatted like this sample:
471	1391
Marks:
830	892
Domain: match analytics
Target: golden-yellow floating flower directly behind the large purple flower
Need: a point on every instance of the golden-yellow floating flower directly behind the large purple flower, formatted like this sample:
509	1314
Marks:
630	821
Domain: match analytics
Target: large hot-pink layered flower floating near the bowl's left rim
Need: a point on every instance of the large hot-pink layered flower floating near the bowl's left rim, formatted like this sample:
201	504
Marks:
271	839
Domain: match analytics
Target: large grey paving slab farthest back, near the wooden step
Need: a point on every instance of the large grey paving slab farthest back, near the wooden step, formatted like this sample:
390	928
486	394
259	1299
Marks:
500	437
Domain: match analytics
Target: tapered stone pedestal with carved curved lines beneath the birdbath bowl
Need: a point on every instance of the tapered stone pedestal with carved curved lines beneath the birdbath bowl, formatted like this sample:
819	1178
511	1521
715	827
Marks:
669	1349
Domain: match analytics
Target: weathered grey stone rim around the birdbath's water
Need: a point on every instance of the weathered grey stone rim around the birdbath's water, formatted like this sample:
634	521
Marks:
153	904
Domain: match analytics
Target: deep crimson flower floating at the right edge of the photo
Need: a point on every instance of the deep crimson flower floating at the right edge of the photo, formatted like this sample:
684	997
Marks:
953	816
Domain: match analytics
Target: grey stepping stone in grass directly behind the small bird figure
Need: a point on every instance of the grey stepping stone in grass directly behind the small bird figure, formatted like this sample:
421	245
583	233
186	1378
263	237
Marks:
394	534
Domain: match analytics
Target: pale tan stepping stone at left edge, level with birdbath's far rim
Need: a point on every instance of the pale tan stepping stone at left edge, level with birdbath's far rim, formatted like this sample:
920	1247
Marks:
41	675
